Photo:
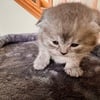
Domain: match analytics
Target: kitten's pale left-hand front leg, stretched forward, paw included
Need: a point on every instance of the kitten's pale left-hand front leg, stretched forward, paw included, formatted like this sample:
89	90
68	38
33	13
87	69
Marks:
42	59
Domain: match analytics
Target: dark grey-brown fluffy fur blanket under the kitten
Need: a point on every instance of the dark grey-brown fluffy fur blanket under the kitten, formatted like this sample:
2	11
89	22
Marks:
19	81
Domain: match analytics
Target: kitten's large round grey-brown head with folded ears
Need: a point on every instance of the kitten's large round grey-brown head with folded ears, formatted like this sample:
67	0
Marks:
64	33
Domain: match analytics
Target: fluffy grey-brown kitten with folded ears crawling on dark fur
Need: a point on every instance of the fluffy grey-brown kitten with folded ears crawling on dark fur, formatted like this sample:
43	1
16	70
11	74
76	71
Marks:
68	32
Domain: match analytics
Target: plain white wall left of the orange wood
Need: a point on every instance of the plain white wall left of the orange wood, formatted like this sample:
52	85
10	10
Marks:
14	18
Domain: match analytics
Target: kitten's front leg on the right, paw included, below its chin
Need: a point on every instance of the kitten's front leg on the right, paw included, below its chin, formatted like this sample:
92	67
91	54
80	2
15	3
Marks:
72	68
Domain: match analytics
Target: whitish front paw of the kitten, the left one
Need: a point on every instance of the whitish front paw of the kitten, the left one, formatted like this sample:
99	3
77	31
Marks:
40	64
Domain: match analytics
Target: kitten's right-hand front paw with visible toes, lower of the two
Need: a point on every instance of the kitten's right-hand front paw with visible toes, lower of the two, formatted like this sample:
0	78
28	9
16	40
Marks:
74	72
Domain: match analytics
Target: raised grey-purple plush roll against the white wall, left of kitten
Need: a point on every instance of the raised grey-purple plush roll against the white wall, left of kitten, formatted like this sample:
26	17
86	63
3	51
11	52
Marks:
14	38
